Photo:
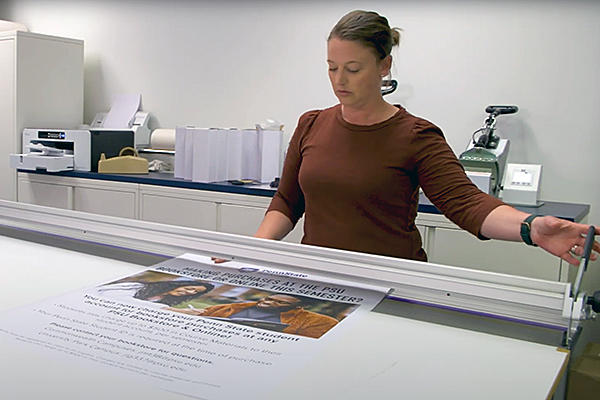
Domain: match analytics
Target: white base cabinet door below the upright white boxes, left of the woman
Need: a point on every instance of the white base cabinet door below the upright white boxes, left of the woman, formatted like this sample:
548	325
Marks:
178	211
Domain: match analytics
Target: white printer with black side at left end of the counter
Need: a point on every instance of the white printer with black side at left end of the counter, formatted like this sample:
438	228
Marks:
55	150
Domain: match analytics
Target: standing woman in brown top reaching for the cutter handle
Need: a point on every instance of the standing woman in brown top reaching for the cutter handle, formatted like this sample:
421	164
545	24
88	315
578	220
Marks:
355	169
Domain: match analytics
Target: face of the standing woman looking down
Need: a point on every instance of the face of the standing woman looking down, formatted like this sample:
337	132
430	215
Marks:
355	72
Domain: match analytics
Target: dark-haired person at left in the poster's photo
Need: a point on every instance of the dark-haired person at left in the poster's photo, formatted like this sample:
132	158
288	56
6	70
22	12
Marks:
168	293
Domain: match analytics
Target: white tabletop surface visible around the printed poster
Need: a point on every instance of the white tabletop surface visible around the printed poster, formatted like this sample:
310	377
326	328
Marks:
382	356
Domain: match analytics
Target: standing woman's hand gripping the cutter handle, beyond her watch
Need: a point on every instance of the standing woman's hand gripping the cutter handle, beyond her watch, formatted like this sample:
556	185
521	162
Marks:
562	238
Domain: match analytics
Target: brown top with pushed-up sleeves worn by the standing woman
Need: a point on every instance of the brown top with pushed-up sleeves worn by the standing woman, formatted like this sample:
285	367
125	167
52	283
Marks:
358	186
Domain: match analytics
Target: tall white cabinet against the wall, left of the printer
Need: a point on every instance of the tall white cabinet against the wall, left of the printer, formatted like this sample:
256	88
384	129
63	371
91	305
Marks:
41	86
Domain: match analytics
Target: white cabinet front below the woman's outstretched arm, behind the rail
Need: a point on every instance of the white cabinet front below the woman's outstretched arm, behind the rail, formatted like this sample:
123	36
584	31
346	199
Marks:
459	248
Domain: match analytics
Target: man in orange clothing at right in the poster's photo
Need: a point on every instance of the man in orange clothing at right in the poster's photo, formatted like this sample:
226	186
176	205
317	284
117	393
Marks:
281	312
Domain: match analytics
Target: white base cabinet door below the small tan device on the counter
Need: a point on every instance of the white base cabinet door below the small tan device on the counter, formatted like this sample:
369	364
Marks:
105	201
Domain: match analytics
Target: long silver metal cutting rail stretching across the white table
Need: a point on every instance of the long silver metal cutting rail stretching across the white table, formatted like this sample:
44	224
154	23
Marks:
522	299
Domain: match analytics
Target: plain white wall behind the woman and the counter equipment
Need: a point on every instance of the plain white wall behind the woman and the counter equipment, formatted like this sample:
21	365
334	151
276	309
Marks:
235	63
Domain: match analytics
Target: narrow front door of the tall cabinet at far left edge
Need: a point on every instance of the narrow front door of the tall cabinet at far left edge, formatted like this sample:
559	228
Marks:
8	131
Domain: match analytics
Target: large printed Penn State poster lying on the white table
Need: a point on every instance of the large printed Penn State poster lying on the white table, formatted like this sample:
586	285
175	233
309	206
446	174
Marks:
188	325
